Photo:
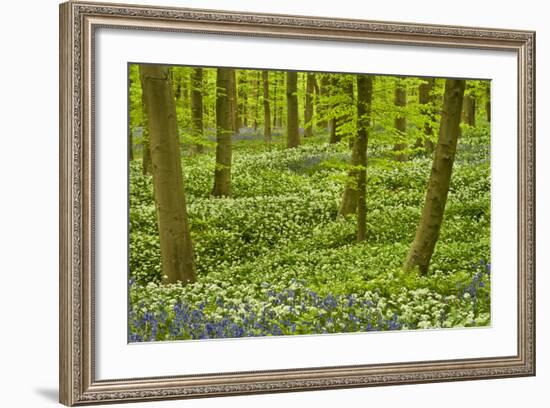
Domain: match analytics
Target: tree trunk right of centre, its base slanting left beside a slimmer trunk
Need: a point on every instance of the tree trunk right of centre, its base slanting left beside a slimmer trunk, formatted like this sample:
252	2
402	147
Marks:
354	185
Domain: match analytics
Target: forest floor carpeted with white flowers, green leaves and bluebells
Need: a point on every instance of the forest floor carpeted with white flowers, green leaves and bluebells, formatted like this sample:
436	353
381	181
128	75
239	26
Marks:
275	259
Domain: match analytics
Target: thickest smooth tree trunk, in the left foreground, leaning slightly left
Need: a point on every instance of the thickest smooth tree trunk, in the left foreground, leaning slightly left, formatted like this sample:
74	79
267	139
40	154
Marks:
176	248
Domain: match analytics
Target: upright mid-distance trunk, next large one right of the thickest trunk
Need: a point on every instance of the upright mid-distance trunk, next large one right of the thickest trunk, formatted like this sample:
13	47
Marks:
224	130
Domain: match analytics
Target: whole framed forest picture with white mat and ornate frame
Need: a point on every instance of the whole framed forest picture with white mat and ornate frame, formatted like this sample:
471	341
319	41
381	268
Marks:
256	203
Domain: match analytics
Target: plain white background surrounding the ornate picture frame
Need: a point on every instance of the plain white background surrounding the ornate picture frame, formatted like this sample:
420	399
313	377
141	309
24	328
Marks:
28	215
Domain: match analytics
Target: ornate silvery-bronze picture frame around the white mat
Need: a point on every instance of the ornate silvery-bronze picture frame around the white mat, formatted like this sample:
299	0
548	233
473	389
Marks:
79	22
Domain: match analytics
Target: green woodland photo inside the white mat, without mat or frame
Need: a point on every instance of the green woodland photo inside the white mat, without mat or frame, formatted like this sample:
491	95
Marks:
272	203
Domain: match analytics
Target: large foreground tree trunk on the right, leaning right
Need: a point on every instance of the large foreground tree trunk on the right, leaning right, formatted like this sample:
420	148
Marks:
428	229
